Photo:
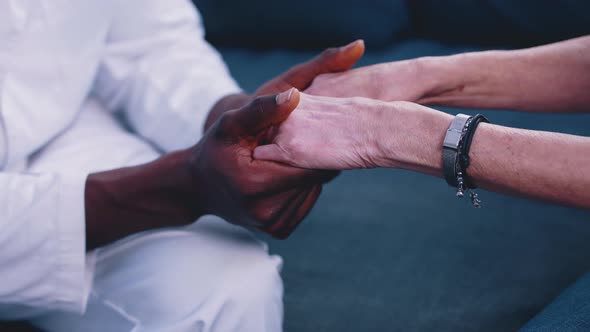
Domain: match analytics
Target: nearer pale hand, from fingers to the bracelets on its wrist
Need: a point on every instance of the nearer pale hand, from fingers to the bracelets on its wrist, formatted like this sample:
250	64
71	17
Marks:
346	133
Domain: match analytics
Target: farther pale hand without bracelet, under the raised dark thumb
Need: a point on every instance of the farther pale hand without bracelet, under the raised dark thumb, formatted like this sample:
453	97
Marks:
393	81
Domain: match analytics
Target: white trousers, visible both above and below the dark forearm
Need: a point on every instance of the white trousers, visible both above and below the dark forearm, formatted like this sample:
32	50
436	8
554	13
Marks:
209	276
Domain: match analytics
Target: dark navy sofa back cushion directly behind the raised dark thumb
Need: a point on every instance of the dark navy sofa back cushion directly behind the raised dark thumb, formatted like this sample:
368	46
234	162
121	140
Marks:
303	23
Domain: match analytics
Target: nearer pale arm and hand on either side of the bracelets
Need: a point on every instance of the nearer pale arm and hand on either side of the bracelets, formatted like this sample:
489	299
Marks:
333	133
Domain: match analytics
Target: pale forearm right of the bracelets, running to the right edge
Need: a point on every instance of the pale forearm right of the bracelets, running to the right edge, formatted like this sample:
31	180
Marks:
543	165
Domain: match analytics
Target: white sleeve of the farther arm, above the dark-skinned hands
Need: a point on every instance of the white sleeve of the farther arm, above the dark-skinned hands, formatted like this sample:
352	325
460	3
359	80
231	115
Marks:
159	69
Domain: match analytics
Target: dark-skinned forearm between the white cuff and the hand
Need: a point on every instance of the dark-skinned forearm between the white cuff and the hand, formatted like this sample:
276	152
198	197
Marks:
129	200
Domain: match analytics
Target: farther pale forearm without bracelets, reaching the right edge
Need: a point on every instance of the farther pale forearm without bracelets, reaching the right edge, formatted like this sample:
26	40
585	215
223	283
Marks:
550	78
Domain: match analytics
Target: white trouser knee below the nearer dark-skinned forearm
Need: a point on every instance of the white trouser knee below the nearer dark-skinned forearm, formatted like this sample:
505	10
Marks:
209	277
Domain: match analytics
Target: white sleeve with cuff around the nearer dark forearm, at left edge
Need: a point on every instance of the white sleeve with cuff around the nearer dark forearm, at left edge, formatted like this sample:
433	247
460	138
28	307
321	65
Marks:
43	262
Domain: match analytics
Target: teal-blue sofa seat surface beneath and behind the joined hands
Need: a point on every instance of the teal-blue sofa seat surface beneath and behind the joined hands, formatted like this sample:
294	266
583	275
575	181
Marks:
390	250
